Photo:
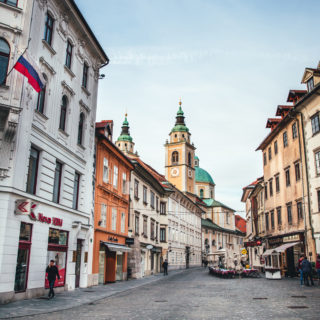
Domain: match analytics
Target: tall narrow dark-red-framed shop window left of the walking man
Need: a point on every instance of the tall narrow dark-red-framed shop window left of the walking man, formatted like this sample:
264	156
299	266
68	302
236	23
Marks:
22	267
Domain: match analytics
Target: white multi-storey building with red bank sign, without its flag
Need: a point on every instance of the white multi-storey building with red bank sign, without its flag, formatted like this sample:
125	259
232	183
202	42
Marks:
46	147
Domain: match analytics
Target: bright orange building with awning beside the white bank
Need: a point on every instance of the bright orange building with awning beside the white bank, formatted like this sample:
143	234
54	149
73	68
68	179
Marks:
113	170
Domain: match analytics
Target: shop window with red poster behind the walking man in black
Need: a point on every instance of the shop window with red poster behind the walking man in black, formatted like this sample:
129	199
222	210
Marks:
57	251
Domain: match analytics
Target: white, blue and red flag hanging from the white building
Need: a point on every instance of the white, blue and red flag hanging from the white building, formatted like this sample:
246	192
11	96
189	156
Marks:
28	68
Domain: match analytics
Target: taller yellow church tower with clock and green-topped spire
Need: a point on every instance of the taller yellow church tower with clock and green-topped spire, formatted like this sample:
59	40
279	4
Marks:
179	162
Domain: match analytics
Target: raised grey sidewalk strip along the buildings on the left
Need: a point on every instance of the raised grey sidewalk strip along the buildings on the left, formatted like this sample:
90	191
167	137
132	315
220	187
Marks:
70	299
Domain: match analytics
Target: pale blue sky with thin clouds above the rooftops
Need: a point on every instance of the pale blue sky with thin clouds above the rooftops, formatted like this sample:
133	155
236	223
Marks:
230	61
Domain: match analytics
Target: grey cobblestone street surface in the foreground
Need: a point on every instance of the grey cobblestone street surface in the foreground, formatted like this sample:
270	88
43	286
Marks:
194	294
